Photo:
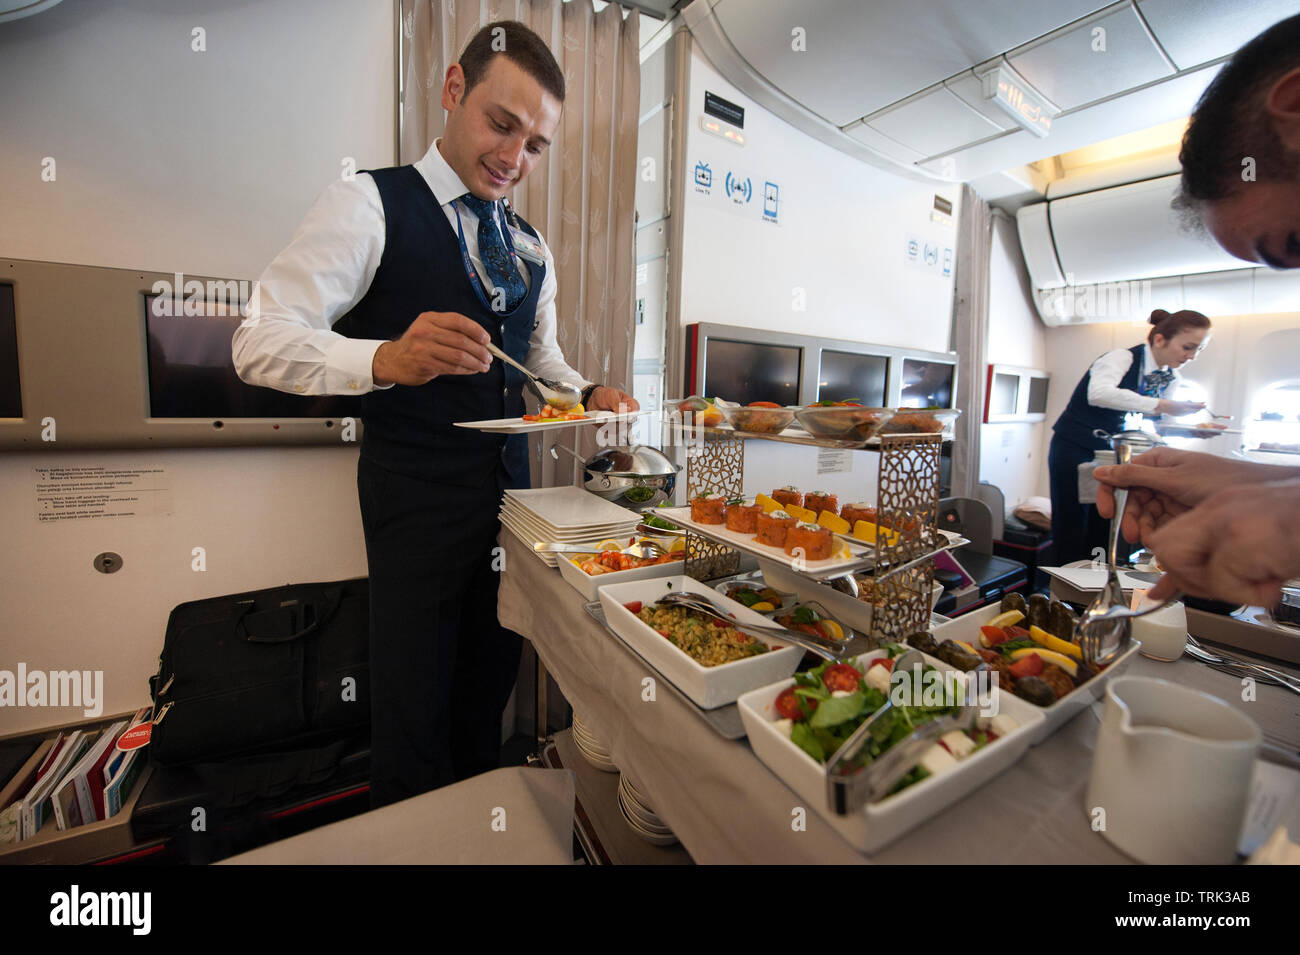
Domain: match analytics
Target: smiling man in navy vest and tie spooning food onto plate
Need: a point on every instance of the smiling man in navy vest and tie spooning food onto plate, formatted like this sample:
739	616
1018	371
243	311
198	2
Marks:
392	288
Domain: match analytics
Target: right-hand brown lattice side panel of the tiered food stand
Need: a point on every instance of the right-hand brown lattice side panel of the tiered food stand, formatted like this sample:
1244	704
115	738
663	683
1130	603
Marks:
908	502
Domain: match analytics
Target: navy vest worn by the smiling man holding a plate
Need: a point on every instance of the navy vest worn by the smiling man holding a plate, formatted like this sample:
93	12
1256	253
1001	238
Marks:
410	429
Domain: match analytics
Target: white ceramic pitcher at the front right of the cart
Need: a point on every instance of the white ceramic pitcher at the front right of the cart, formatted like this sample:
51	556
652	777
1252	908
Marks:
1172	774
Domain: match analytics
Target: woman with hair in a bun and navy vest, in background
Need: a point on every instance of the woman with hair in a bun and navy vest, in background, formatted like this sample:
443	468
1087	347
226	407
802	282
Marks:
1124	381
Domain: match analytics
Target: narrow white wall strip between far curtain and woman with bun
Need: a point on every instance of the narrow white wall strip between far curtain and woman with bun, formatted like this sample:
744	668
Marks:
1012	454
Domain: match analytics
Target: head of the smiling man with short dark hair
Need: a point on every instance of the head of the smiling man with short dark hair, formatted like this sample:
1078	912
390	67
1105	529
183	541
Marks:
504	101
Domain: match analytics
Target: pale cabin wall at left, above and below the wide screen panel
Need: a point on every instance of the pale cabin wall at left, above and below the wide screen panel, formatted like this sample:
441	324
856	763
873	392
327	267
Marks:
201	163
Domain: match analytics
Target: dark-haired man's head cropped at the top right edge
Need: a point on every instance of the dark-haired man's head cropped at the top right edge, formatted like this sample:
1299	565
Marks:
1242	153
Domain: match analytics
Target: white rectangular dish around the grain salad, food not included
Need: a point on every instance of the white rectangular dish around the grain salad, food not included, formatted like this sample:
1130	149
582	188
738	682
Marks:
708	687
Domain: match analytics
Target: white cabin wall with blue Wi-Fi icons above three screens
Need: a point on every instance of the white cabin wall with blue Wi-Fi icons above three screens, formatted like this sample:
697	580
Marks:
835	267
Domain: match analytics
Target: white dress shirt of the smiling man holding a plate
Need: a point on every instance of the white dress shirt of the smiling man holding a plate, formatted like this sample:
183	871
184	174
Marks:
287	342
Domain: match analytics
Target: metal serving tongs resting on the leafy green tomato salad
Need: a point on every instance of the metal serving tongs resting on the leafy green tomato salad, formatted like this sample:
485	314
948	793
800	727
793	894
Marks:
850	785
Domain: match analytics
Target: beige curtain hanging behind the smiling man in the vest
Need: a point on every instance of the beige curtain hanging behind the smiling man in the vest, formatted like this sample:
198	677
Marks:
582	196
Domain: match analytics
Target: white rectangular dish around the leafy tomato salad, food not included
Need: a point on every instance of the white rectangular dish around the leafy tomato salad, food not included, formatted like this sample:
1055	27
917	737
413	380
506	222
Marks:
879	824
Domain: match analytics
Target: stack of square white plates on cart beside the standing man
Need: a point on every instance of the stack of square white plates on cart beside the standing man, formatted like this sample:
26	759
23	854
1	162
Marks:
565	515
